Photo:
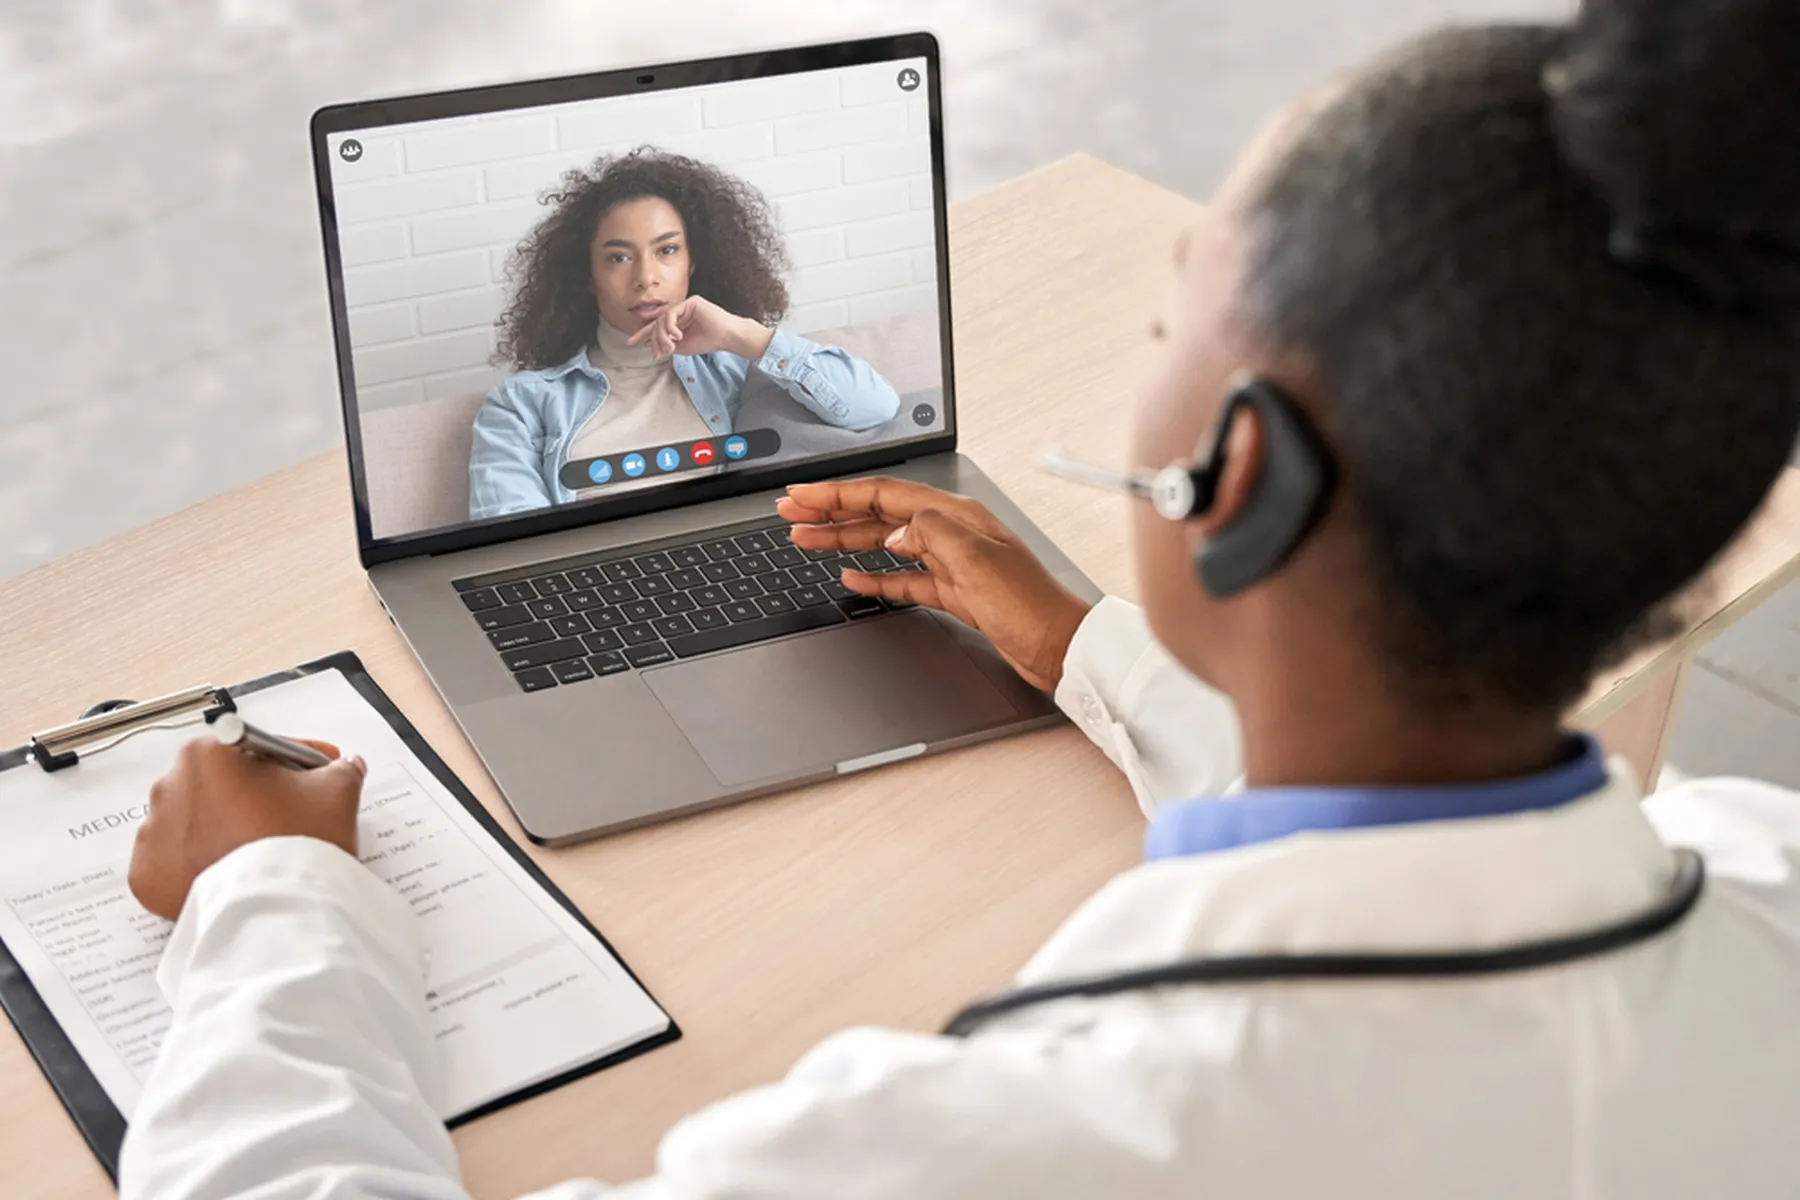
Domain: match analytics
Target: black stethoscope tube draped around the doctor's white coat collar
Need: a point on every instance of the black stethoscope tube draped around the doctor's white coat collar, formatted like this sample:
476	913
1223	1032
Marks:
1259	969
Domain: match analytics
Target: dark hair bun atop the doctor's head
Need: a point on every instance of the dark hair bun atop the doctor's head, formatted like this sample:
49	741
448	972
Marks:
1686	114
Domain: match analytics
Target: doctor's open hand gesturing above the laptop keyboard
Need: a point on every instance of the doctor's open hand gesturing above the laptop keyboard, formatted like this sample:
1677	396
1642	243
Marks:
976	569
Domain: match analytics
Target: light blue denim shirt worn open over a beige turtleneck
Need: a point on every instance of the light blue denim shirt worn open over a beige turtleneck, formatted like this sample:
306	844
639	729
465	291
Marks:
528	420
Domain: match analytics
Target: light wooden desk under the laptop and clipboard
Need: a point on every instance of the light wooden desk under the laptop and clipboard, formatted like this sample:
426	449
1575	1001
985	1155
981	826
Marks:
886	899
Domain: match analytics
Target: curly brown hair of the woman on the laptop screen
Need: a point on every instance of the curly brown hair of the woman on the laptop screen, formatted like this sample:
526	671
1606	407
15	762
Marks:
733	240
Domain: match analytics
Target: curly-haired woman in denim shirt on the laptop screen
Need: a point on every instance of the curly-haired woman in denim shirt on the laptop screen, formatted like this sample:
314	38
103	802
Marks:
643	301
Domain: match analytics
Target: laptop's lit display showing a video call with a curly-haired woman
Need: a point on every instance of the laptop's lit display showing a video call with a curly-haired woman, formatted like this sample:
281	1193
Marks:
566	303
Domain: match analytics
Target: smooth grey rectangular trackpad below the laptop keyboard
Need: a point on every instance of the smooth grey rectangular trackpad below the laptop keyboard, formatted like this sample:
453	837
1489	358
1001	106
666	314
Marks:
811	703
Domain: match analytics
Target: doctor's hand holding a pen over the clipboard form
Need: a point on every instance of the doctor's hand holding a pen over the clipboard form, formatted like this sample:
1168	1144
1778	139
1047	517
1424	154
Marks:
217	800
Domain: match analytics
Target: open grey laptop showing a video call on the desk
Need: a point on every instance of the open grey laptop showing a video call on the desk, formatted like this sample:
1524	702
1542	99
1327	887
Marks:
577	532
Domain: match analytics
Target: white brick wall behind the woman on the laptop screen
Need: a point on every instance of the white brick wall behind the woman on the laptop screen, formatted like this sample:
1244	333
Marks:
429	213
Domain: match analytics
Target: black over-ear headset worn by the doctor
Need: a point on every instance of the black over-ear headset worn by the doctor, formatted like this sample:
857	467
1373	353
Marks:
1288	497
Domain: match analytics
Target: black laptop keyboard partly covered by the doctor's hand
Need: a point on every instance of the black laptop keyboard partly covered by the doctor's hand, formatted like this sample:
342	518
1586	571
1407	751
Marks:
580	620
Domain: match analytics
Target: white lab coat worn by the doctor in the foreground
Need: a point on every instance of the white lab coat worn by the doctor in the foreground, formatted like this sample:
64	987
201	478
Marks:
298	1064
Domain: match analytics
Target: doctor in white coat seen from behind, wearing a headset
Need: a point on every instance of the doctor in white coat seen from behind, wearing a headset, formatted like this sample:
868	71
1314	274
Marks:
1495	348
